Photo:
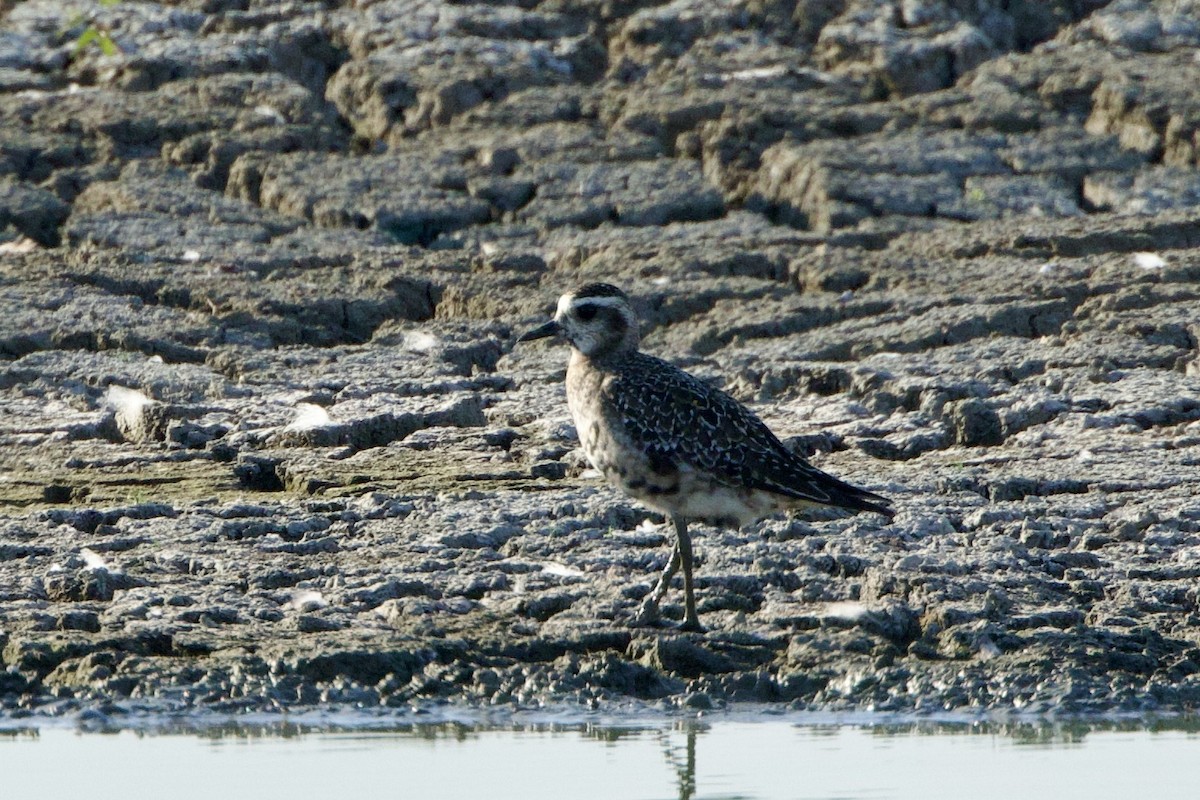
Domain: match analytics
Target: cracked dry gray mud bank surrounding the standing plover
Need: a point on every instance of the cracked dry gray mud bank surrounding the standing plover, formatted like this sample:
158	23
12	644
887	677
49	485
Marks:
266	441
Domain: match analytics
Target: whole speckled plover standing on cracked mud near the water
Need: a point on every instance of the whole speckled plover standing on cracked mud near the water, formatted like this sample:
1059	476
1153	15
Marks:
674	442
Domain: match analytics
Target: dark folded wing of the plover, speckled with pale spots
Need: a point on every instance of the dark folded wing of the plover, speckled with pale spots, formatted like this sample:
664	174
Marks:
679	419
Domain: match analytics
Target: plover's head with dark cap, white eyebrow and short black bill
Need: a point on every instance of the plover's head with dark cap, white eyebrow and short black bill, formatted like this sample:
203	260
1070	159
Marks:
596	320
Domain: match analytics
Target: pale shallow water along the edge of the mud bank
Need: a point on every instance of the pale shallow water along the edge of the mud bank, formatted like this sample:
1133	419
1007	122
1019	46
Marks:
724	759
